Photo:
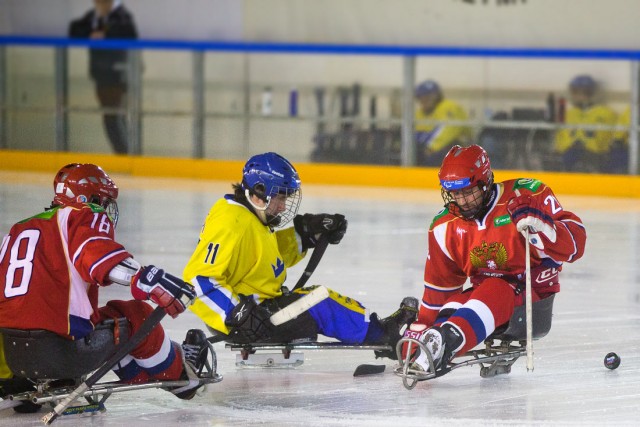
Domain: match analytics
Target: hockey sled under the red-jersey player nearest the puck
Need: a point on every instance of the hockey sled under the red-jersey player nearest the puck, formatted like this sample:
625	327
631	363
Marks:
501	349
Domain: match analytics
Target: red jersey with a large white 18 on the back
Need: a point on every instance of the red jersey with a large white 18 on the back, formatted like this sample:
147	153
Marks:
50	268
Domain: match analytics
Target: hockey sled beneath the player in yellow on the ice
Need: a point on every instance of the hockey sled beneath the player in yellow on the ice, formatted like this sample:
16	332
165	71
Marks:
287	355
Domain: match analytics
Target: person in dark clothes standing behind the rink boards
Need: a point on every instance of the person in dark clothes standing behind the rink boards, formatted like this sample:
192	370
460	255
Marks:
108	68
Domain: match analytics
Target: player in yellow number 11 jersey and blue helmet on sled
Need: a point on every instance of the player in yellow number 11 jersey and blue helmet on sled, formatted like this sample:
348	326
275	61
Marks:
239	266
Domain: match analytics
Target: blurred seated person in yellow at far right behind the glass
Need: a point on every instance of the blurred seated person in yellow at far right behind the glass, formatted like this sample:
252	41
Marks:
585	149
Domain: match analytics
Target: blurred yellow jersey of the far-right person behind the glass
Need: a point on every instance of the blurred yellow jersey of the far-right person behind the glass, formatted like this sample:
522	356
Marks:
595	141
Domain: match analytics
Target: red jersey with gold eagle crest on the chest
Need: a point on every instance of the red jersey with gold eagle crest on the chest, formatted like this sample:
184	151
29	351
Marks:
492	247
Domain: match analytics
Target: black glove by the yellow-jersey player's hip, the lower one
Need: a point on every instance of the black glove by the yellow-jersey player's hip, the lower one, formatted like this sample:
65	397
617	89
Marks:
249	322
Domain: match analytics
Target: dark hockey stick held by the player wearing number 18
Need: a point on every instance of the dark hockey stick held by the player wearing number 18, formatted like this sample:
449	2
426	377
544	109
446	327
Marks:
152	321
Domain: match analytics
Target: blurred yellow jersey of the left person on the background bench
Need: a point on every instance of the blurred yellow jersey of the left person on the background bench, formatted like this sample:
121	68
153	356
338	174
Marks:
441	134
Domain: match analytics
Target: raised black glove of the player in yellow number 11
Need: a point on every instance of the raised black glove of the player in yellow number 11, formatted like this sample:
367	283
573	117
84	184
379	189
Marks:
311	226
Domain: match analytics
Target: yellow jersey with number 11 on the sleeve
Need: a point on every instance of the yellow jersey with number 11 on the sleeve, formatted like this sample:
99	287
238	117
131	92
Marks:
237	254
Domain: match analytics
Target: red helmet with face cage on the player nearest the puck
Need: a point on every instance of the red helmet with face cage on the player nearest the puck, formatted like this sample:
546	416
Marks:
464	168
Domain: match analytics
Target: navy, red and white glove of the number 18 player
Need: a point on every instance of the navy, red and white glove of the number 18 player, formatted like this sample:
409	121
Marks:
169	292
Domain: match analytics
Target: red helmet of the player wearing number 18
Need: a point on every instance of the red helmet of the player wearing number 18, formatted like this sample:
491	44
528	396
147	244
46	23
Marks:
86	183
